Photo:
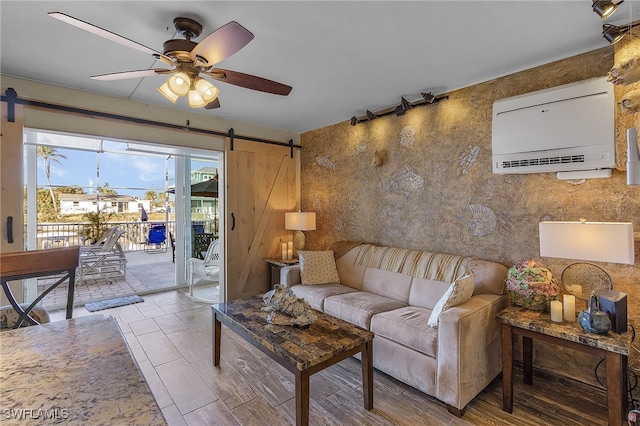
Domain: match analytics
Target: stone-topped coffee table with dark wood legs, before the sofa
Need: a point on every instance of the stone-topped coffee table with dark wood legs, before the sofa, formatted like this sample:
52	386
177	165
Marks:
302	351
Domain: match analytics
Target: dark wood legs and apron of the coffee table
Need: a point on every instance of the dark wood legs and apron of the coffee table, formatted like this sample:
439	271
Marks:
301	376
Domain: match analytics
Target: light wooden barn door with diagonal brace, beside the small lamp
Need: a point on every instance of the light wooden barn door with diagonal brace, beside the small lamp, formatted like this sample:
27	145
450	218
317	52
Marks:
261	186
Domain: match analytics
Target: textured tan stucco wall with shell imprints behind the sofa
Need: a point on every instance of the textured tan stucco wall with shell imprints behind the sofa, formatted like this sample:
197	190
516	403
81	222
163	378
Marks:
435	189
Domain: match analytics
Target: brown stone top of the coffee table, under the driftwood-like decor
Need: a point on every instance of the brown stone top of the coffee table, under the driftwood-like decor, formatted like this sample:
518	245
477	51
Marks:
303	347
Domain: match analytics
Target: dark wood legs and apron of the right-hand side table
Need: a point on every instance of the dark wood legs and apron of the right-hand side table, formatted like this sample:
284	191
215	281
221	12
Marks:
616	368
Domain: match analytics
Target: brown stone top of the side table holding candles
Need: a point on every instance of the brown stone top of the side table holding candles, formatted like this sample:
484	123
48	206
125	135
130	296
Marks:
540	322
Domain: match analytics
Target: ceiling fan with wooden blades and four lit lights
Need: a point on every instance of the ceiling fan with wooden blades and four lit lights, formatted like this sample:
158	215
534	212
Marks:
189	60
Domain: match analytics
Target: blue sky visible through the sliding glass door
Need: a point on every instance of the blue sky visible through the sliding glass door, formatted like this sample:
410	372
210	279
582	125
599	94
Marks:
127	172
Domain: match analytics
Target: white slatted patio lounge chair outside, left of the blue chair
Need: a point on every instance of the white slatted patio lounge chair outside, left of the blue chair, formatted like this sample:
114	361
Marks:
105	261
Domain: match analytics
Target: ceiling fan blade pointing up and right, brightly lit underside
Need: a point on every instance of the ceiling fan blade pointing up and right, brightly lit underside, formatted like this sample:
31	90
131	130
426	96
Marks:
222	43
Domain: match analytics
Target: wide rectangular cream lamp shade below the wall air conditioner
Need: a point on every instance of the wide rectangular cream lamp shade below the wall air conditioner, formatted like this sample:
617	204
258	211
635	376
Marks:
595	241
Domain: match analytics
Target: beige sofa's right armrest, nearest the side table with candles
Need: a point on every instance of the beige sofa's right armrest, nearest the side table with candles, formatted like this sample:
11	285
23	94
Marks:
469	349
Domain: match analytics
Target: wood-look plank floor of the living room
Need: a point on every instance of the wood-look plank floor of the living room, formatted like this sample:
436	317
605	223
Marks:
170	337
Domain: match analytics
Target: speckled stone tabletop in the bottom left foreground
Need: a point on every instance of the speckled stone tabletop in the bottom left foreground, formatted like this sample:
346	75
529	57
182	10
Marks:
77	371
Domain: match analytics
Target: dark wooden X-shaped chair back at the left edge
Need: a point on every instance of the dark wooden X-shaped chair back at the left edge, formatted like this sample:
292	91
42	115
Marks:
39	263
